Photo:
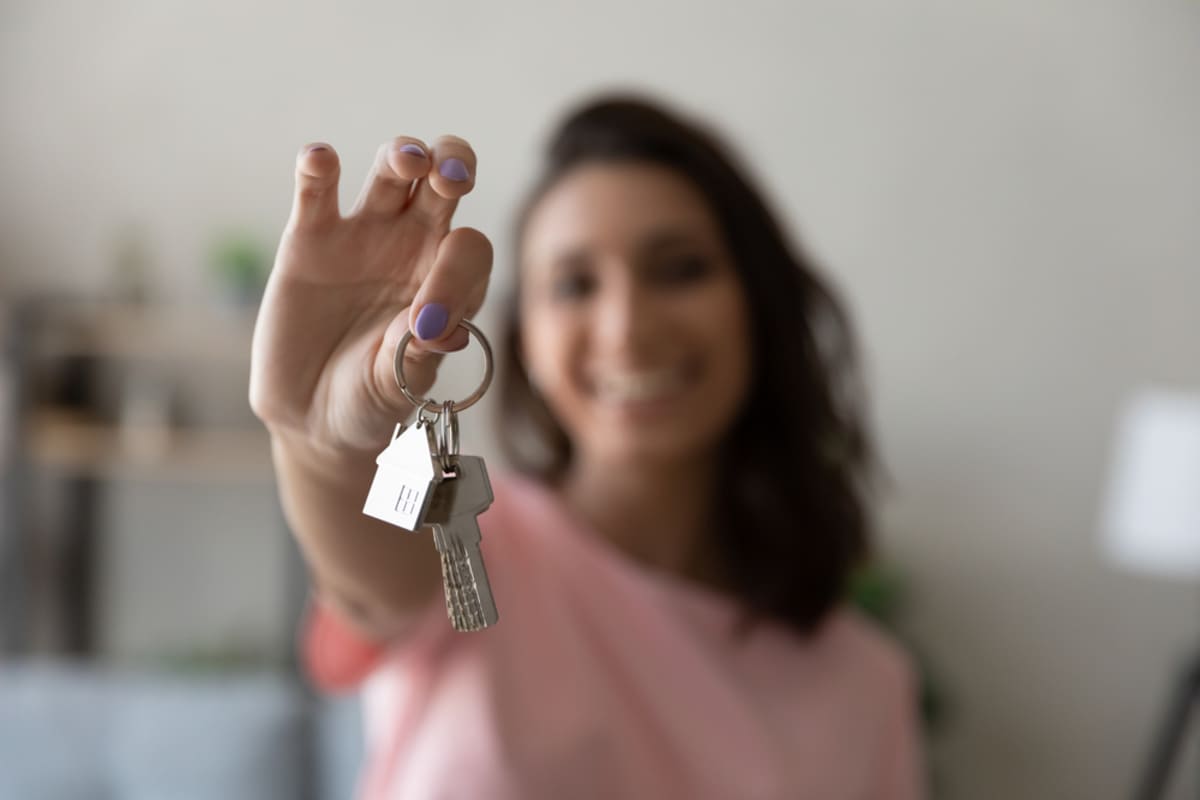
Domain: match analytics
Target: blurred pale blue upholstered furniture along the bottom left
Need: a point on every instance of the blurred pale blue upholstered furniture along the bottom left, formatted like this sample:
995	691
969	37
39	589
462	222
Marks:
79	733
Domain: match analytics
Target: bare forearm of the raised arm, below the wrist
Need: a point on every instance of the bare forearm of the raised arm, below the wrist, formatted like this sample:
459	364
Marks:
376	575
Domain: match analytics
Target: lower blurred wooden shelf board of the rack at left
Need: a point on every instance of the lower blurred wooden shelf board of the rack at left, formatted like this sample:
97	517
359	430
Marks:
70	443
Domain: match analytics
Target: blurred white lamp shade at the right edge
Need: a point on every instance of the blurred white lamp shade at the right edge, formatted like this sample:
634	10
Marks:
1151	520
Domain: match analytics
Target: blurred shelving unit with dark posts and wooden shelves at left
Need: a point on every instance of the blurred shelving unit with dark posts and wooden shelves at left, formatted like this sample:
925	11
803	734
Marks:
85	417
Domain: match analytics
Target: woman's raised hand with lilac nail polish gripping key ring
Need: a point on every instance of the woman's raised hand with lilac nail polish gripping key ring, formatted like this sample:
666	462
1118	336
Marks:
345	290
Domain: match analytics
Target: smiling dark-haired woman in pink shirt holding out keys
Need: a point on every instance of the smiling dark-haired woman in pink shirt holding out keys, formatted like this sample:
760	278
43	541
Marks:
681	404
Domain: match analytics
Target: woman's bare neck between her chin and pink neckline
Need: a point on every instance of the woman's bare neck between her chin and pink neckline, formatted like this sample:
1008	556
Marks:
659	514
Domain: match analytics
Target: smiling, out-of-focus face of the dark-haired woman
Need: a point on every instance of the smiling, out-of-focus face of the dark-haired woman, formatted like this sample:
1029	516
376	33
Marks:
633	317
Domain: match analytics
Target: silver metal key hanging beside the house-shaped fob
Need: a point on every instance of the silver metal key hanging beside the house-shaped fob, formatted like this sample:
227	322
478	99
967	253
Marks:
458	501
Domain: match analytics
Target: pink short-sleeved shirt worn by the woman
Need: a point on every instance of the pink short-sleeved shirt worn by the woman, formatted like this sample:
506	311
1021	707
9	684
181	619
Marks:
605	679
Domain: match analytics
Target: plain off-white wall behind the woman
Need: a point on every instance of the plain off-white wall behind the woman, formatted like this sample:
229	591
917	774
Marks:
1009	191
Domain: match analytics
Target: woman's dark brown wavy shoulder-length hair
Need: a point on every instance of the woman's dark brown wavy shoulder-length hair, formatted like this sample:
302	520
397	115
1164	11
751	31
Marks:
799	462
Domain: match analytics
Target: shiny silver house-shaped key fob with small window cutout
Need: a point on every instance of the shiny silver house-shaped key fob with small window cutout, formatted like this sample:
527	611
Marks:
405	478
